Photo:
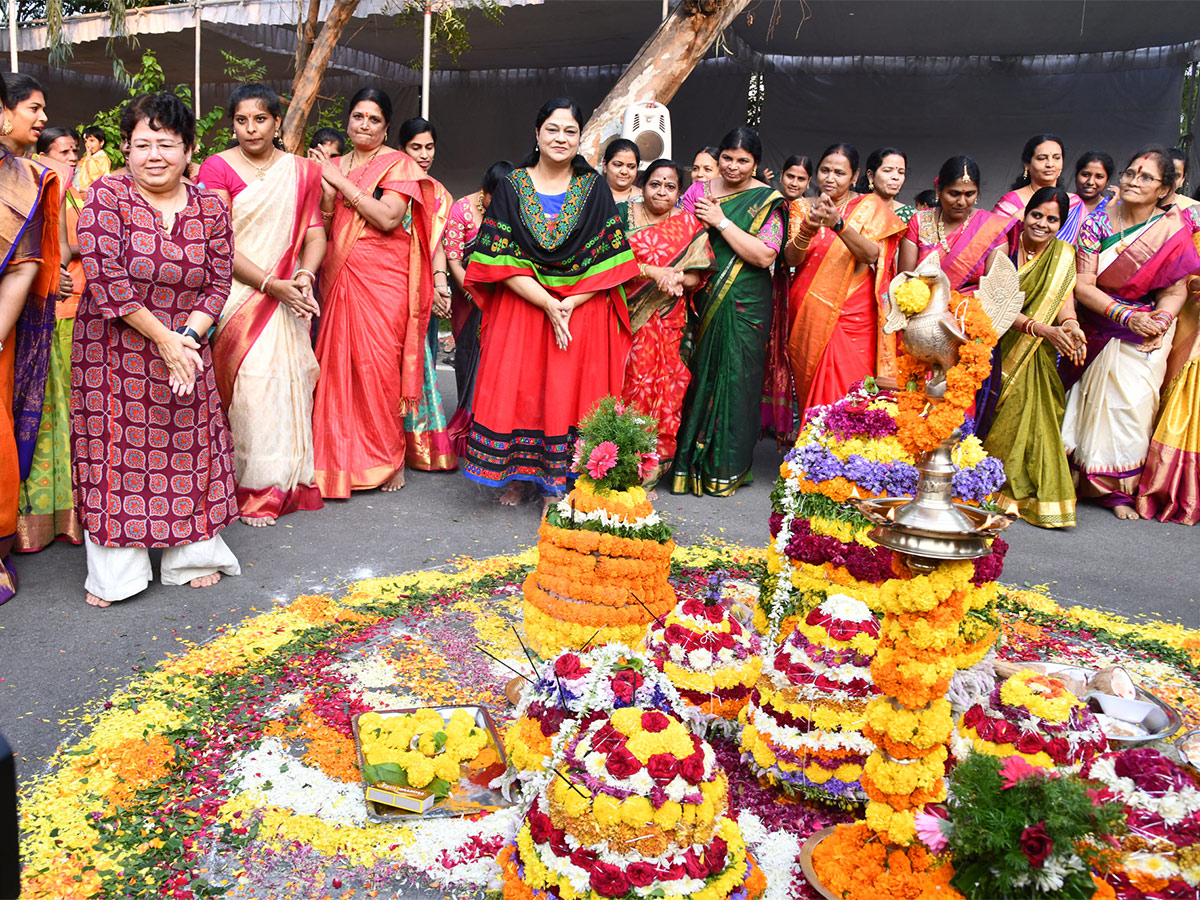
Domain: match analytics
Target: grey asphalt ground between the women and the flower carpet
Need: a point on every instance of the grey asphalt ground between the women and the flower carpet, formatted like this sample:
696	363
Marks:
59	657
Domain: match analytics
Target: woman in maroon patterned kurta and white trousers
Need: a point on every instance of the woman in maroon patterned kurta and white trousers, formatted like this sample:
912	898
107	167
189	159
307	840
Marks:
153	453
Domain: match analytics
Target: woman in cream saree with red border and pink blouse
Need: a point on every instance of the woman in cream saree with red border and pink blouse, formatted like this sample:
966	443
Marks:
262	352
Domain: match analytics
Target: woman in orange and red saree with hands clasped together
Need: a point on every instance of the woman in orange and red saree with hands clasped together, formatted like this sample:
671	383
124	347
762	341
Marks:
844	249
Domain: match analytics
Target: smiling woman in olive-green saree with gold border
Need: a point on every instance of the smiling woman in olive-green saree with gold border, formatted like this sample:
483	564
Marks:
1027	431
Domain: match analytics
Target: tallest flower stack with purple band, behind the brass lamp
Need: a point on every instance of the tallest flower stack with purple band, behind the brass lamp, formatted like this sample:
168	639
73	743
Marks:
820	542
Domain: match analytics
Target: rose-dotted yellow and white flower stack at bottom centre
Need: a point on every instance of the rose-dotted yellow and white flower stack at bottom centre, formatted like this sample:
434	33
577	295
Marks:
638	809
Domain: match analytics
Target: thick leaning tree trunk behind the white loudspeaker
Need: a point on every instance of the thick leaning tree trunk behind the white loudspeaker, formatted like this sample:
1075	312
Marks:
663	64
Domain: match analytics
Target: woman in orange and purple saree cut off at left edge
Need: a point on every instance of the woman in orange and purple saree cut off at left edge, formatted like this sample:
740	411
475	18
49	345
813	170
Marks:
29	280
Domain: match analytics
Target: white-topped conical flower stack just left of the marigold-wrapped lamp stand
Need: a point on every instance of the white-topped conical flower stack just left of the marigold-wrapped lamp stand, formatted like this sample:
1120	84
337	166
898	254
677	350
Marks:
803	728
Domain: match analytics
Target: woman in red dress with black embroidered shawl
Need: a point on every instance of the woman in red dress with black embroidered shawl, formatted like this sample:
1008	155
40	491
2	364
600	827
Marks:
548	268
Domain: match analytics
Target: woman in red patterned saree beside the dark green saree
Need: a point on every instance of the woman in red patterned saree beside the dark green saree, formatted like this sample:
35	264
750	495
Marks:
675	261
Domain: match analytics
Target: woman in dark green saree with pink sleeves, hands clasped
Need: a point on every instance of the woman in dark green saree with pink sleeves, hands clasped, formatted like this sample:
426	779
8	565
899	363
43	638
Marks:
727	341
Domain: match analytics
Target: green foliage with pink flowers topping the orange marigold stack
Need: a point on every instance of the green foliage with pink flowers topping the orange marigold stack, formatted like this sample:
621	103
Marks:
615	428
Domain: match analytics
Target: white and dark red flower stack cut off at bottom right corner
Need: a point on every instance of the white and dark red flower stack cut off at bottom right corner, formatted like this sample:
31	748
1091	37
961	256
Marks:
1161	848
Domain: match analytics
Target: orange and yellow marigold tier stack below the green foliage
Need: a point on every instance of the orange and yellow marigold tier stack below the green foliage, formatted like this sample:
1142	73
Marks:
602	575
